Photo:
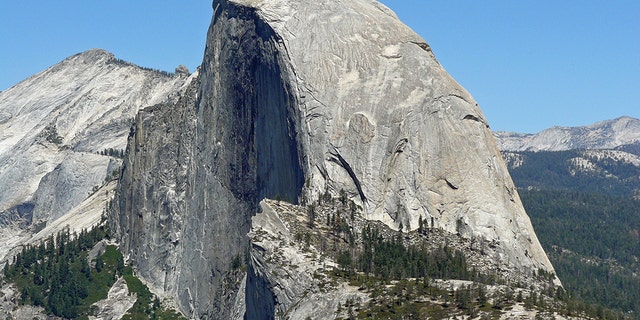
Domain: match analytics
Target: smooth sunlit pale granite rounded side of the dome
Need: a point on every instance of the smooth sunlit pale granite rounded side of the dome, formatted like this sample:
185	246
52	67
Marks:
382	119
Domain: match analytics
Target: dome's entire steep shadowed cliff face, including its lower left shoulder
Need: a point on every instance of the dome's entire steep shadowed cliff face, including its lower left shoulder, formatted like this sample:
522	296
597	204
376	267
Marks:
196	171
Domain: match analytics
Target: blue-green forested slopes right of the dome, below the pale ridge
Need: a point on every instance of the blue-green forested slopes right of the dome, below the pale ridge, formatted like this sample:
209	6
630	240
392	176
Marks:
586	213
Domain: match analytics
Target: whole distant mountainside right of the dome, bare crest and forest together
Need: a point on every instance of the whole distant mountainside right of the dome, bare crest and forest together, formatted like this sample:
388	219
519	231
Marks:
581	188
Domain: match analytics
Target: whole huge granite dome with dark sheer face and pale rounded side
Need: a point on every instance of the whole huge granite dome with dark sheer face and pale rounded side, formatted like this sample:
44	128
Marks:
295	98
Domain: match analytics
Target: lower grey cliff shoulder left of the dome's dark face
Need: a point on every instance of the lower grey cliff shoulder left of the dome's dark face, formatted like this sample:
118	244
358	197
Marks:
150	197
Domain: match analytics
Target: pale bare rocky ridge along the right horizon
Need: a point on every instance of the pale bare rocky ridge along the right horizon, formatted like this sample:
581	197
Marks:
608	134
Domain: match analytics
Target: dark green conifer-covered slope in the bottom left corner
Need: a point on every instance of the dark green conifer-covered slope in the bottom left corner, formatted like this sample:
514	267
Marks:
68	274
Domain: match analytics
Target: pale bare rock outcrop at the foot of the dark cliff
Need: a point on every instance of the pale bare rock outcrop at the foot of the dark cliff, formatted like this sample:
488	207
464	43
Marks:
285	279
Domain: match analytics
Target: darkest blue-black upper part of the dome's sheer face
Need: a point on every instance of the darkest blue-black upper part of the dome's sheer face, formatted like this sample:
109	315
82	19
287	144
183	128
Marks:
252	108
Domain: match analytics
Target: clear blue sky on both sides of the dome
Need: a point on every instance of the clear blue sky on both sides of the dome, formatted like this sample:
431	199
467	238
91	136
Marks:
529	64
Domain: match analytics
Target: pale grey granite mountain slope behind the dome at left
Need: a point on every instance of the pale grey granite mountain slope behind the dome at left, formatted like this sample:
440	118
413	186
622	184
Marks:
59	132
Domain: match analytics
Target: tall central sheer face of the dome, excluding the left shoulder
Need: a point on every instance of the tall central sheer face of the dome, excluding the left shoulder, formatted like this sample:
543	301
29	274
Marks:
245	143
